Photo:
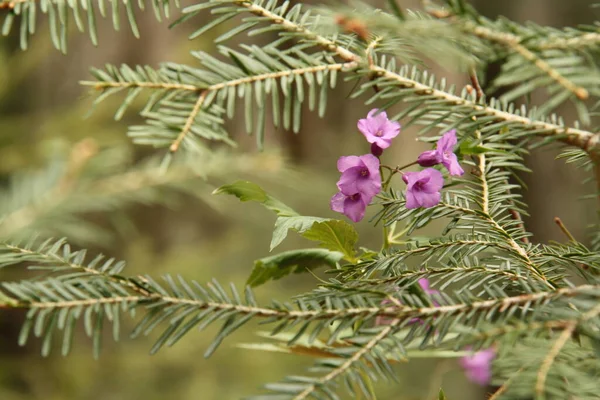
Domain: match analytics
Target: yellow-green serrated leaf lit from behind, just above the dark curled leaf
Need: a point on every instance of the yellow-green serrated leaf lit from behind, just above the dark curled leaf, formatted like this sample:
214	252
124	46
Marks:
335	235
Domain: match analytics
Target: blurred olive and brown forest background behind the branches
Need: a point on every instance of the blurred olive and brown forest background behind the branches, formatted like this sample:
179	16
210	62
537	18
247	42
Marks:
42	109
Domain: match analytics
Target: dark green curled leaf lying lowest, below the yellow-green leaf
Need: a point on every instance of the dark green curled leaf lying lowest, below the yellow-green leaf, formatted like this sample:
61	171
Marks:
295	261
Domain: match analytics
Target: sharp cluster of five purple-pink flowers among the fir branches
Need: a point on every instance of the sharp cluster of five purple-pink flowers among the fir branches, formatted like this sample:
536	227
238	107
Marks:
361	175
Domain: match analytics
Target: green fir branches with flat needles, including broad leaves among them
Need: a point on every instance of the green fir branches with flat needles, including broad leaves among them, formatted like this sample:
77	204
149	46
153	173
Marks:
535	304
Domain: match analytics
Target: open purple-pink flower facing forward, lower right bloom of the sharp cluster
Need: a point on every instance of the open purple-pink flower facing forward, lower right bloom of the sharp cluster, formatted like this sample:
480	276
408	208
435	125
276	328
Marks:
423	188
